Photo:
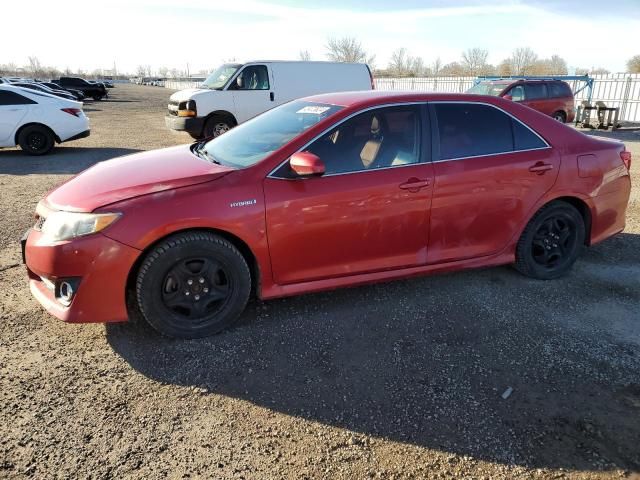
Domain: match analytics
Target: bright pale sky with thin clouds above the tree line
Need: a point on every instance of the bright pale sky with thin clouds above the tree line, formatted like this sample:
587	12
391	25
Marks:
94	34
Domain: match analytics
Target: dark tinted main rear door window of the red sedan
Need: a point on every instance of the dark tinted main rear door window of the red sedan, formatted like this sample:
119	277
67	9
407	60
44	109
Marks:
469	130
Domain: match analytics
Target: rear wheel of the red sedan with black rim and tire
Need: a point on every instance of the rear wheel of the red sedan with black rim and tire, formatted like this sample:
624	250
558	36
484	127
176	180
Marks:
551	241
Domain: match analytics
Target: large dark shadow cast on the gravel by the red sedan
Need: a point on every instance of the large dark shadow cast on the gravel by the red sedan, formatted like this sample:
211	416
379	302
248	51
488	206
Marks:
428	361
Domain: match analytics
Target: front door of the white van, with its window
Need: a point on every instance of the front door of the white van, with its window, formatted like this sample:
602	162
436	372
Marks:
252	92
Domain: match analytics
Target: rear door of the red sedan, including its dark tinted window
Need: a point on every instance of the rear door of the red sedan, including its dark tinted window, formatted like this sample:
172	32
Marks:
490	170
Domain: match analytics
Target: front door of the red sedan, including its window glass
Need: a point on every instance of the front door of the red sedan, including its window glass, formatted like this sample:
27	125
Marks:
368	212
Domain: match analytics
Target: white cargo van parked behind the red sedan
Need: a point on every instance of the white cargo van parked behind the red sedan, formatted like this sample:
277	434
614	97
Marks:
237	92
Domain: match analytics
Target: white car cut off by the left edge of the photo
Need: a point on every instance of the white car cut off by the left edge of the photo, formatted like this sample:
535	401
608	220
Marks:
38	120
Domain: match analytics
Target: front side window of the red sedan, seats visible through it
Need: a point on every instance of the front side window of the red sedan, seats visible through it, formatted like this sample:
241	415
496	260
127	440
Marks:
381	138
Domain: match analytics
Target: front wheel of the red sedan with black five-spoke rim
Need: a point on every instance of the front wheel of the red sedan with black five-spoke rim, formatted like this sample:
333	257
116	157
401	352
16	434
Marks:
193	285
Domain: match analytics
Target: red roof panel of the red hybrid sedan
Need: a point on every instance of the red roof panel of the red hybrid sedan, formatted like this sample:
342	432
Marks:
380	97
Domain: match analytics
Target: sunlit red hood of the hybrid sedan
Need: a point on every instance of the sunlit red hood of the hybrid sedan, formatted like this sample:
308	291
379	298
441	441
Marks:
132	176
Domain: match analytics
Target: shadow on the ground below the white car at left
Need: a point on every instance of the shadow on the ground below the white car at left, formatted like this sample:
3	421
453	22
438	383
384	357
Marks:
62	160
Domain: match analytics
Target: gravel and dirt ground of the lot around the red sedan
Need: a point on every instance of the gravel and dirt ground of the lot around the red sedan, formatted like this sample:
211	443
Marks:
398	380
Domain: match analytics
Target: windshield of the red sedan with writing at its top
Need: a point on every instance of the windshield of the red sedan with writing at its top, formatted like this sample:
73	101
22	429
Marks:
252	141
